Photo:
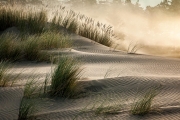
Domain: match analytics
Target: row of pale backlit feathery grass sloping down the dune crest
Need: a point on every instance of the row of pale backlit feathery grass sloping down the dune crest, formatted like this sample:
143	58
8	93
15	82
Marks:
84	26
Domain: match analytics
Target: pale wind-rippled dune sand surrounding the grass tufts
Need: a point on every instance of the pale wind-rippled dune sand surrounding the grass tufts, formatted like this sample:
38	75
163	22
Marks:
110	77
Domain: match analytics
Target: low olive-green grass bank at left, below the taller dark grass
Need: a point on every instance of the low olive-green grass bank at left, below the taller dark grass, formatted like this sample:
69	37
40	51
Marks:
13	48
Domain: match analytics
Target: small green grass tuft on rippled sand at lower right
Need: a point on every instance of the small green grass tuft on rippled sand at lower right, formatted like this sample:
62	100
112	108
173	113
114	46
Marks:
144	105
